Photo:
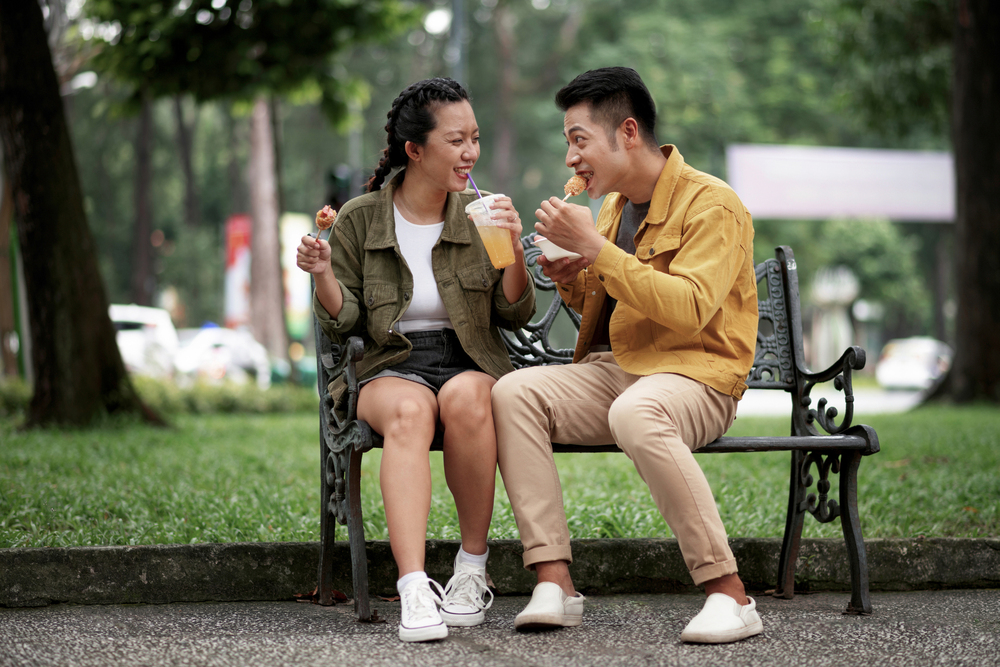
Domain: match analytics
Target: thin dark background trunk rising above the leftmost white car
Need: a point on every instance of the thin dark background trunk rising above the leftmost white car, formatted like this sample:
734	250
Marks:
142	249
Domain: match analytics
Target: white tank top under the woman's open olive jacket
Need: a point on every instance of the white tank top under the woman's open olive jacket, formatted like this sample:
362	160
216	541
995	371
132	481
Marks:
426	311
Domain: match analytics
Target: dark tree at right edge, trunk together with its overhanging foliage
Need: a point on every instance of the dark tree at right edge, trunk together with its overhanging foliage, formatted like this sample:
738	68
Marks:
924	68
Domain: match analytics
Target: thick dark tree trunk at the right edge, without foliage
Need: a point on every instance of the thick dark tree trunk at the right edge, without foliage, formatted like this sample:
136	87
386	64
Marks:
976	136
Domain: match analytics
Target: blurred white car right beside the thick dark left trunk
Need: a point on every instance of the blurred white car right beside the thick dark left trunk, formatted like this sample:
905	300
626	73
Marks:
146	339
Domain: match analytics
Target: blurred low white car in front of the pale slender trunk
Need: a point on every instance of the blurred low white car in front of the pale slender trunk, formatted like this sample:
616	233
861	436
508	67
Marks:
217	354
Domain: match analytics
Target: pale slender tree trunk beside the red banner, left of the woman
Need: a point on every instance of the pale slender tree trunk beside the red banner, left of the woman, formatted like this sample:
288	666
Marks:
266	291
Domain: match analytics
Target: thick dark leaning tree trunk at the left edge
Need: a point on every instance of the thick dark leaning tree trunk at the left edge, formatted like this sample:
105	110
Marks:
79	374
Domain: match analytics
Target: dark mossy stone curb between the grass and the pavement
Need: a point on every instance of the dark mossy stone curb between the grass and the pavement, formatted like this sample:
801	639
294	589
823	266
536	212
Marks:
281	570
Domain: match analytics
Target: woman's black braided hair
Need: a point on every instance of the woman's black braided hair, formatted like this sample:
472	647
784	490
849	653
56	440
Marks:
412	119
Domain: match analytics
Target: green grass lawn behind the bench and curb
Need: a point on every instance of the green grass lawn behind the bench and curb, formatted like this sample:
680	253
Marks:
235	478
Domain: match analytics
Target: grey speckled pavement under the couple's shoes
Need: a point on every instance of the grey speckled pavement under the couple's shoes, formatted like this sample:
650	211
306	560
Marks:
916	628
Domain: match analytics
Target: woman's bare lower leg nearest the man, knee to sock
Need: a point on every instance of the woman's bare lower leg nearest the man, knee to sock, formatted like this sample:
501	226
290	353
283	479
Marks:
470	453
